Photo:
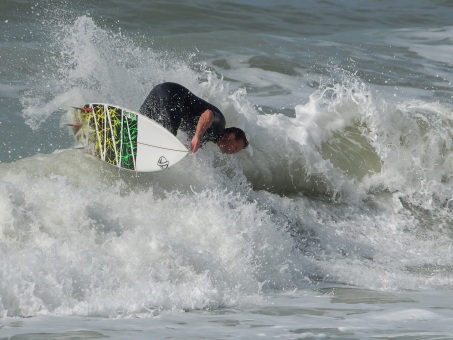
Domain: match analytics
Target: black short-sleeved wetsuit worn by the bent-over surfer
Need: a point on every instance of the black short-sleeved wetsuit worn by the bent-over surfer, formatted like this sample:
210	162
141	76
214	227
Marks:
173	106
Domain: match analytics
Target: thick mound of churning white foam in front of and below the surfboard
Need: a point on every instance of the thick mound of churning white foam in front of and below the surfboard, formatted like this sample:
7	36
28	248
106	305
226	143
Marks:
81	241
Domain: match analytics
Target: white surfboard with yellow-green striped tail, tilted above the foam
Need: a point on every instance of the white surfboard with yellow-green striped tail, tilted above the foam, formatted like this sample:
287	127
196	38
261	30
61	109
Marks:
124	138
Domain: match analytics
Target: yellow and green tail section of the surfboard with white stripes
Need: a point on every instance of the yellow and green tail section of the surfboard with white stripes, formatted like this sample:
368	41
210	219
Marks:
111	130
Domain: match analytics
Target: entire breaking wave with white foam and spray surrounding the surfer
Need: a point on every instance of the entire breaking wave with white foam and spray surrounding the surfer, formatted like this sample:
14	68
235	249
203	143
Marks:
348	190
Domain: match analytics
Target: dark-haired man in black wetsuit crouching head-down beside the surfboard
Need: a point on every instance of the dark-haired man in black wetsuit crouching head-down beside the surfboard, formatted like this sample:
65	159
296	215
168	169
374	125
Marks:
175	107
